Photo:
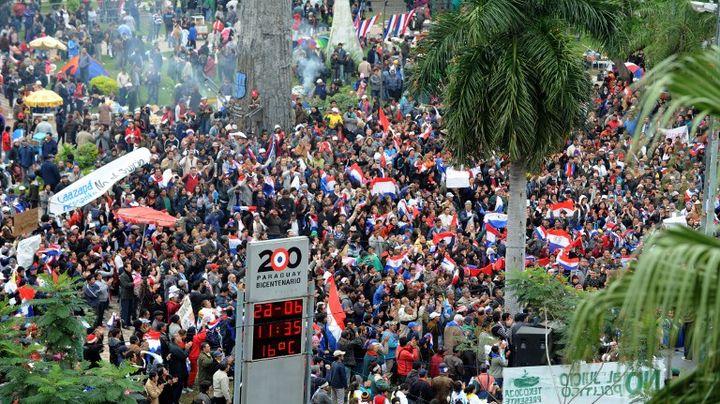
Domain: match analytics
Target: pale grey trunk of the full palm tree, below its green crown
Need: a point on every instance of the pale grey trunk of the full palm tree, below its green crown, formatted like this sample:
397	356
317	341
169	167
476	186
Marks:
517	218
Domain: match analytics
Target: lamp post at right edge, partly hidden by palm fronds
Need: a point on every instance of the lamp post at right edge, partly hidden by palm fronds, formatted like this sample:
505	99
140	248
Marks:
711	153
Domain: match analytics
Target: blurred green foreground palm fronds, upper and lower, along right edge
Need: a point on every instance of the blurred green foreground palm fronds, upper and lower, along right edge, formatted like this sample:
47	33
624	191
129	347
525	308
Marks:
677	276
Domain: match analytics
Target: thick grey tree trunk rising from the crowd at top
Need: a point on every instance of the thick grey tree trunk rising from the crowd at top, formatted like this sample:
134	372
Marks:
264	56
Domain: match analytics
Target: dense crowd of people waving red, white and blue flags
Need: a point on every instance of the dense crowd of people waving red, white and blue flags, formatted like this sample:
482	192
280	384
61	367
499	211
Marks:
418	265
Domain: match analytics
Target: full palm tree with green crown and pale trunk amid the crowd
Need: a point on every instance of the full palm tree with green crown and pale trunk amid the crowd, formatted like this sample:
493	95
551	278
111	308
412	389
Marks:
512	83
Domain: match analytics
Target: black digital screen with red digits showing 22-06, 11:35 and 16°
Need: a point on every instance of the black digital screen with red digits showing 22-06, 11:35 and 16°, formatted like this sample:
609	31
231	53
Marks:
277	330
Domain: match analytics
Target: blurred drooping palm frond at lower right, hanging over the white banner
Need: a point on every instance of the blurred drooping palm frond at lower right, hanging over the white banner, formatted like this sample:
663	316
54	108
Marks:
679	273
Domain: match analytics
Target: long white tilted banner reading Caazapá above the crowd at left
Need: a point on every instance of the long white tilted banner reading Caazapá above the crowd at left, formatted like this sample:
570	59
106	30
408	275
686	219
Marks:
98	182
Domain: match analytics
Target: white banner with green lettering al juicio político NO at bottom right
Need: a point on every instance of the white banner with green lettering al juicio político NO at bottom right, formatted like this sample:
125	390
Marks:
606	383
